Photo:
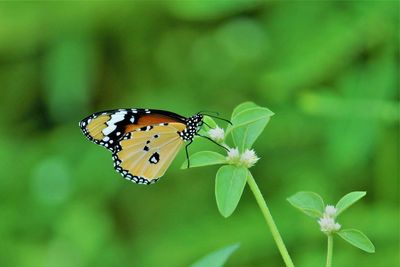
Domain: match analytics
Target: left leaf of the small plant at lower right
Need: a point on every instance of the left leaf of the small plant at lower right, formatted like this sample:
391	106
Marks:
308	202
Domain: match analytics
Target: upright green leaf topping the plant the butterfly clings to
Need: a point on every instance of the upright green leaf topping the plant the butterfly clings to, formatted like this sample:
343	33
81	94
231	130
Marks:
249	120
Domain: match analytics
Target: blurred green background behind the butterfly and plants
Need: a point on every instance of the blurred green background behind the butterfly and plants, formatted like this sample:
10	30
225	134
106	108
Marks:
329	70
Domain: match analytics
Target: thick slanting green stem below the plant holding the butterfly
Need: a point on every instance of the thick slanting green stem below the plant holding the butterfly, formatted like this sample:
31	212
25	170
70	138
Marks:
270	221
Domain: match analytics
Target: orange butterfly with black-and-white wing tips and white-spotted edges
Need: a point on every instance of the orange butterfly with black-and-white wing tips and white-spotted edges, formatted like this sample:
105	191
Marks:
143	142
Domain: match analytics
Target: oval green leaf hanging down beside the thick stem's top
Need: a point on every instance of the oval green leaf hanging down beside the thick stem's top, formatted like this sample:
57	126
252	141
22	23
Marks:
229	187
